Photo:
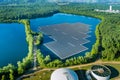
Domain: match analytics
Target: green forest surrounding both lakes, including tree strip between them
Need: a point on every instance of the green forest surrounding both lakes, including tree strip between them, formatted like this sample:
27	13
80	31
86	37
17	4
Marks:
107	46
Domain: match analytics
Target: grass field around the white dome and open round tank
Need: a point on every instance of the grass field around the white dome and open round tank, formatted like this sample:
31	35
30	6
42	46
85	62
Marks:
45	75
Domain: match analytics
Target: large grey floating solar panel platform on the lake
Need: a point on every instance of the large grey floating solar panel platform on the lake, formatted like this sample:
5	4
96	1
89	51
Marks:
68	38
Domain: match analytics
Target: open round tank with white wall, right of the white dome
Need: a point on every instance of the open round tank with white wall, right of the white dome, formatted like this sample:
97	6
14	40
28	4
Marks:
99	72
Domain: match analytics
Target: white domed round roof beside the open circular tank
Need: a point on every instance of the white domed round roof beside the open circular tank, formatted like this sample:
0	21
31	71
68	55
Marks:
64	74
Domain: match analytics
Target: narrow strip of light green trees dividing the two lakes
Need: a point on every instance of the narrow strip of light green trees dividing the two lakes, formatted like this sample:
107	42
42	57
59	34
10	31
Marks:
27	61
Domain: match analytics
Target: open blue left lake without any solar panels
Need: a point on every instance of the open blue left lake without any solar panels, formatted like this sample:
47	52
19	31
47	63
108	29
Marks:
13	46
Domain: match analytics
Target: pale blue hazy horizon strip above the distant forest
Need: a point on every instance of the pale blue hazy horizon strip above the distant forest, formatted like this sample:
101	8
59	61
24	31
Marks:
55	1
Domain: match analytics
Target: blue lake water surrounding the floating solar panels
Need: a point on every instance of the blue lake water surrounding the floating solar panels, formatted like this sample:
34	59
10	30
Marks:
65	18
